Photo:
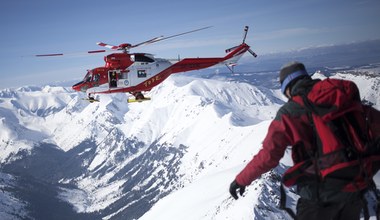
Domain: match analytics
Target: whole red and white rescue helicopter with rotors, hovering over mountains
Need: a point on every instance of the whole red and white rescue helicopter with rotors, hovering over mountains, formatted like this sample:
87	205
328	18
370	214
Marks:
135	73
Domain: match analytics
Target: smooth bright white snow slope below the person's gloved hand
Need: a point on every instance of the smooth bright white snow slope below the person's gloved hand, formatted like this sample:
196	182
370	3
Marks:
199	199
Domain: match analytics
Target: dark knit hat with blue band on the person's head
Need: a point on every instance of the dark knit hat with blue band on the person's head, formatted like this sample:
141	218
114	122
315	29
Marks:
290	72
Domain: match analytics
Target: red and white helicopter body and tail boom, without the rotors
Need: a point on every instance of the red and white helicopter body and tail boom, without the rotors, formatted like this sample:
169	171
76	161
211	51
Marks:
136	73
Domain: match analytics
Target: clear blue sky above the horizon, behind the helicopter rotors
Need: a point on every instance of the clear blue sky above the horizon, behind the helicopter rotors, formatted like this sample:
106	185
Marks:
50	26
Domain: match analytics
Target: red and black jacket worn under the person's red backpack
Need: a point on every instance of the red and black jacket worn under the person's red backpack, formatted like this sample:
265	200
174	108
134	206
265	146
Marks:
291	127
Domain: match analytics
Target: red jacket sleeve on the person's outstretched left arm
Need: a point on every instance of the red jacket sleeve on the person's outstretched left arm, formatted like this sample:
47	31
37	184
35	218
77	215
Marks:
291	127
